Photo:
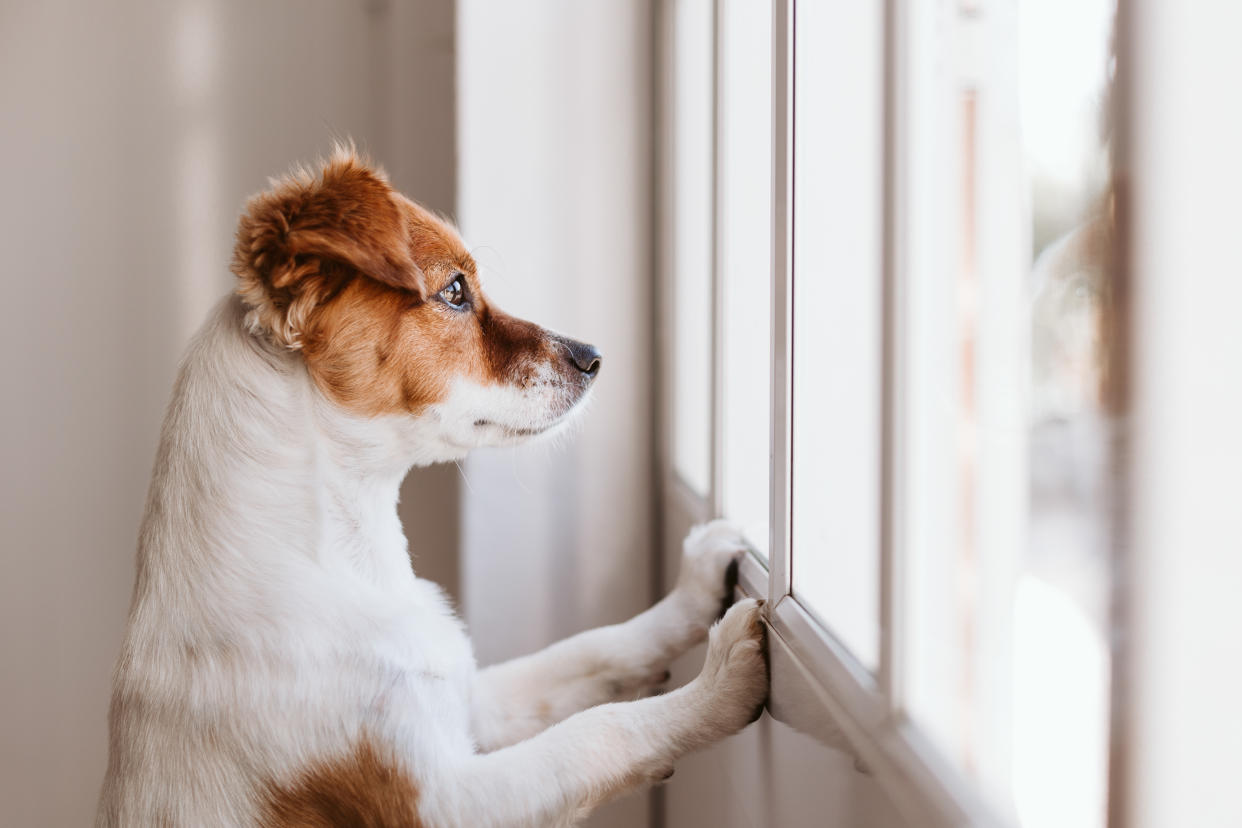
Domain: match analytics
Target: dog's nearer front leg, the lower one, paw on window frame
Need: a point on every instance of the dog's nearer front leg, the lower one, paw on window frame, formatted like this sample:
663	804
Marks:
558	776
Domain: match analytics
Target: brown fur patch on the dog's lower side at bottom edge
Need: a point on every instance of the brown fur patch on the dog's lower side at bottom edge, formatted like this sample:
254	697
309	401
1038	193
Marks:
360	790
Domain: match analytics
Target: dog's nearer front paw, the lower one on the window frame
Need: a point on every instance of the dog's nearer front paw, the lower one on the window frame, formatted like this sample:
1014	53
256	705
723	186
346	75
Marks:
735	678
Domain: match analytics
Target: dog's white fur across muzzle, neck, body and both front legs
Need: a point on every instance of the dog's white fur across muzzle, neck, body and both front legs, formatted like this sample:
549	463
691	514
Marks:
276	621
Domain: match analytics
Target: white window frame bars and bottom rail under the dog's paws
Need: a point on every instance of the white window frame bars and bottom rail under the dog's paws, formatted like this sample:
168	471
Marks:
864	708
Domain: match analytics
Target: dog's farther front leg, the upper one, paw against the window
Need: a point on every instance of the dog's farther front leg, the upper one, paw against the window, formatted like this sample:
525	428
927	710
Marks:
519	700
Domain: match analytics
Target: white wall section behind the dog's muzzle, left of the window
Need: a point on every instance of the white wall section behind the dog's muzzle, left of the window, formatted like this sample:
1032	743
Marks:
556	203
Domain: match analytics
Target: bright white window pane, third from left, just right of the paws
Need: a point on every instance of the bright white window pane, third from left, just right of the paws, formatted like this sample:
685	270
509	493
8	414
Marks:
838	320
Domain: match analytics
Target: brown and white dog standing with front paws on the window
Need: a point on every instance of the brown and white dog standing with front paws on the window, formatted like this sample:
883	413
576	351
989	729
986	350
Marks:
284	665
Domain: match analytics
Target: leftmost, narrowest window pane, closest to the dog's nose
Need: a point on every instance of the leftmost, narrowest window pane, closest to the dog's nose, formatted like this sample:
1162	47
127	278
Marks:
692	124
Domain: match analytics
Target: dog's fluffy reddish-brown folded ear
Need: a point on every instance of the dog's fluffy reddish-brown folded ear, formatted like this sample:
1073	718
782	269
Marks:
299	240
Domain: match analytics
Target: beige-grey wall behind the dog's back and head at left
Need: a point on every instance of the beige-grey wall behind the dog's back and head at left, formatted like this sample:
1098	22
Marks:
132	135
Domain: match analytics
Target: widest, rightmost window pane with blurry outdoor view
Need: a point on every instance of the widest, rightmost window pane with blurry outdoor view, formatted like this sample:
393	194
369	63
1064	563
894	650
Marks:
1007	423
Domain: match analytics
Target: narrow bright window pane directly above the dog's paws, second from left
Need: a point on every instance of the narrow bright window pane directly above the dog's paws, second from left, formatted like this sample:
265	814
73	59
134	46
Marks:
746	261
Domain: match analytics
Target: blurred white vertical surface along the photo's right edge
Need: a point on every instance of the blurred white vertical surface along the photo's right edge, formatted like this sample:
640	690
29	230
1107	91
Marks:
1183	680
